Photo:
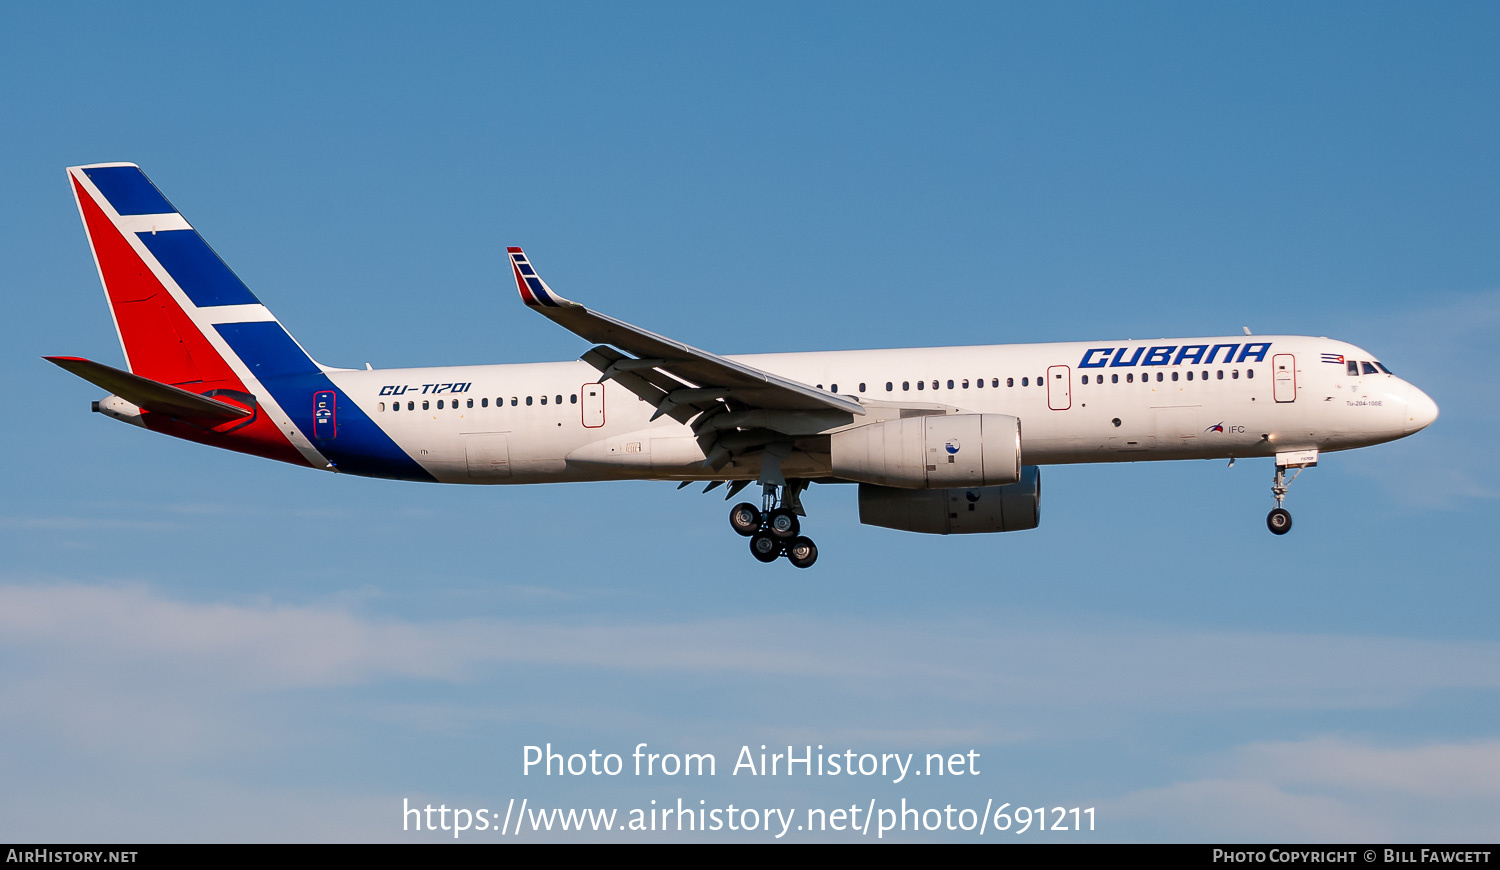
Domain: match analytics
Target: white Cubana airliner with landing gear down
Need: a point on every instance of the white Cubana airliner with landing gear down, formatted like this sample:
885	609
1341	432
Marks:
938	440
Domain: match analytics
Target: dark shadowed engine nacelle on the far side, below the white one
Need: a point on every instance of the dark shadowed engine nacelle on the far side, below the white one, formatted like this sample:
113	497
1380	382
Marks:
962	511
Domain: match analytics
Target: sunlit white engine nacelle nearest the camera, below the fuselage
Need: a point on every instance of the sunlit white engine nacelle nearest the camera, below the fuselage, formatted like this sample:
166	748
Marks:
932	452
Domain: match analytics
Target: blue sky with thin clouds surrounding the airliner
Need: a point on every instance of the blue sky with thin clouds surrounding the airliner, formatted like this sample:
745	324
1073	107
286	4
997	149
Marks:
199	646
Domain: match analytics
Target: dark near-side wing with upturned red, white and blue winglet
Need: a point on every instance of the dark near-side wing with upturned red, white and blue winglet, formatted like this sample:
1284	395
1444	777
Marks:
671	376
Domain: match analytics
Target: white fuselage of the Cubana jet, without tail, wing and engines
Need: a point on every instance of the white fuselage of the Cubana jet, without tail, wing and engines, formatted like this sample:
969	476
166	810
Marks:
1076	401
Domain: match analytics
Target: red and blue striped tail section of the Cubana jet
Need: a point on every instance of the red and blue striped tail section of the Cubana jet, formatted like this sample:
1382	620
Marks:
187	322
